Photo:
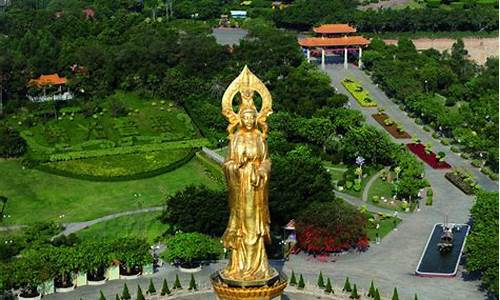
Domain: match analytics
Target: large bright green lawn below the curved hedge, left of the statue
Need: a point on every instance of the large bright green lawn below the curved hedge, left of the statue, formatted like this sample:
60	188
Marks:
35	195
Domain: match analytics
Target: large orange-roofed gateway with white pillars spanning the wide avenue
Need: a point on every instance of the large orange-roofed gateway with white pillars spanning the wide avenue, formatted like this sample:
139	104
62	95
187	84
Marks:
332	39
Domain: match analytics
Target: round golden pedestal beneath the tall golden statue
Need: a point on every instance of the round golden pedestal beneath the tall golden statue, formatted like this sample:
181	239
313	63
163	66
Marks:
265	289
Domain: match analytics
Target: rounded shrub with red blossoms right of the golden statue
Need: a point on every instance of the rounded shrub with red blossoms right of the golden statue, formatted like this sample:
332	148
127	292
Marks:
331	227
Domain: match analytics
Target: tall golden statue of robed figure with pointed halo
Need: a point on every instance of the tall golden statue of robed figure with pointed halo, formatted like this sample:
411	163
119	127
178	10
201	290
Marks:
247	169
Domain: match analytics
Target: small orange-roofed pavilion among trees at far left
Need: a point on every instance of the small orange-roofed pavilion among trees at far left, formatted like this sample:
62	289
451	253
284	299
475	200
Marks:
49	88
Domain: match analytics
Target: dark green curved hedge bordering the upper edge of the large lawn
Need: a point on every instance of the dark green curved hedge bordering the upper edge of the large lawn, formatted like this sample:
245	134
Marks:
141	175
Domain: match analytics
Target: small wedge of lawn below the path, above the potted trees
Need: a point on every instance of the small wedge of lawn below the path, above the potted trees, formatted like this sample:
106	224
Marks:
144	225
